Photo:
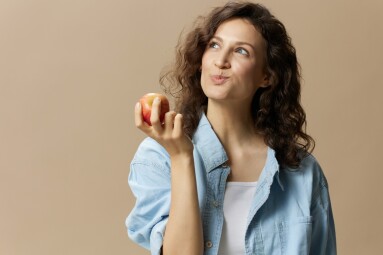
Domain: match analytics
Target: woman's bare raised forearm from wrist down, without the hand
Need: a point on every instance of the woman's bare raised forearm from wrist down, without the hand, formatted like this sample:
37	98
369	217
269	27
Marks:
183	233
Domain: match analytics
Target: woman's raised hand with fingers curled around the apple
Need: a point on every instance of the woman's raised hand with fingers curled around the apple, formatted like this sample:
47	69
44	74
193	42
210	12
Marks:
169	134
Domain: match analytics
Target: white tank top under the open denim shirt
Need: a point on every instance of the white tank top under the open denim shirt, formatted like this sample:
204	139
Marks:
236	207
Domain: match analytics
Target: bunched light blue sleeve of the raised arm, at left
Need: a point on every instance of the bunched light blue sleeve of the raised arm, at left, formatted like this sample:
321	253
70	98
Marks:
149	180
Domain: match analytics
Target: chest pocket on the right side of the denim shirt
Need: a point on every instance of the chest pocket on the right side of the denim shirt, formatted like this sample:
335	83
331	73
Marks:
295	235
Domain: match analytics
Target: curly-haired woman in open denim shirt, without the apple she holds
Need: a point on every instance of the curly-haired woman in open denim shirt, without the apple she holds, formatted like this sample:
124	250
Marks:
231	172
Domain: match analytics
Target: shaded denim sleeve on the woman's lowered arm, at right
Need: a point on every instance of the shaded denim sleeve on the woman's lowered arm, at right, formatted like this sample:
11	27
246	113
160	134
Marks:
323	228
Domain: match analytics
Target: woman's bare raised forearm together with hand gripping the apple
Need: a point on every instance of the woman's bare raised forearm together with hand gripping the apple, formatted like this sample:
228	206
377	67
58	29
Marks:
183	234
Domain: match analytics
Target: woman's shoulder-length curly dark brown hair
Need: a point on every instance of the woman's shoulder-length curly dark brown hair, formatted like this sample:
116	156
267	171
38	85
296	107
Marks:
277	112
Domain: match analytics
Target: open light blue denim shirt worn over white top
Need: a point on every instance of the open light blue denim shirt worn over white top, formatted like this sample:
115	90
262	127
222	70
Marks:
290	211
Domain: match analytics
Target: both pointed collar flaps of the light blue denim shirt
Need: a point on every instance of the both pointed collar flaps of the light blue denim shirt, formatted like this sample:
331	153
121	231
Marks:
213	153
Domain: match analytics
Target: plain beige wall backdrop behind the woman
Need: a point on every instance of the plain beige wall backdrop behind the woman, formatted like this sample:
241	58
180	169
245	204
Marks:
71	72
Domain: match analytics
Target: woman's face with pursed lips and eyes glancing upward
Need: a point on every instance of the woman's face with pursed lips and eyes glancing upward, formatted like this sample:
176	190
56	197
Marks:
233	62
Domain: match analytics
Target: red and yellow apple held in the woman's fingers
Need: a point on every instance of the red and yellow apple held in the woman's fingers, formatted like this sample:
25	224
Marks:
146	104
